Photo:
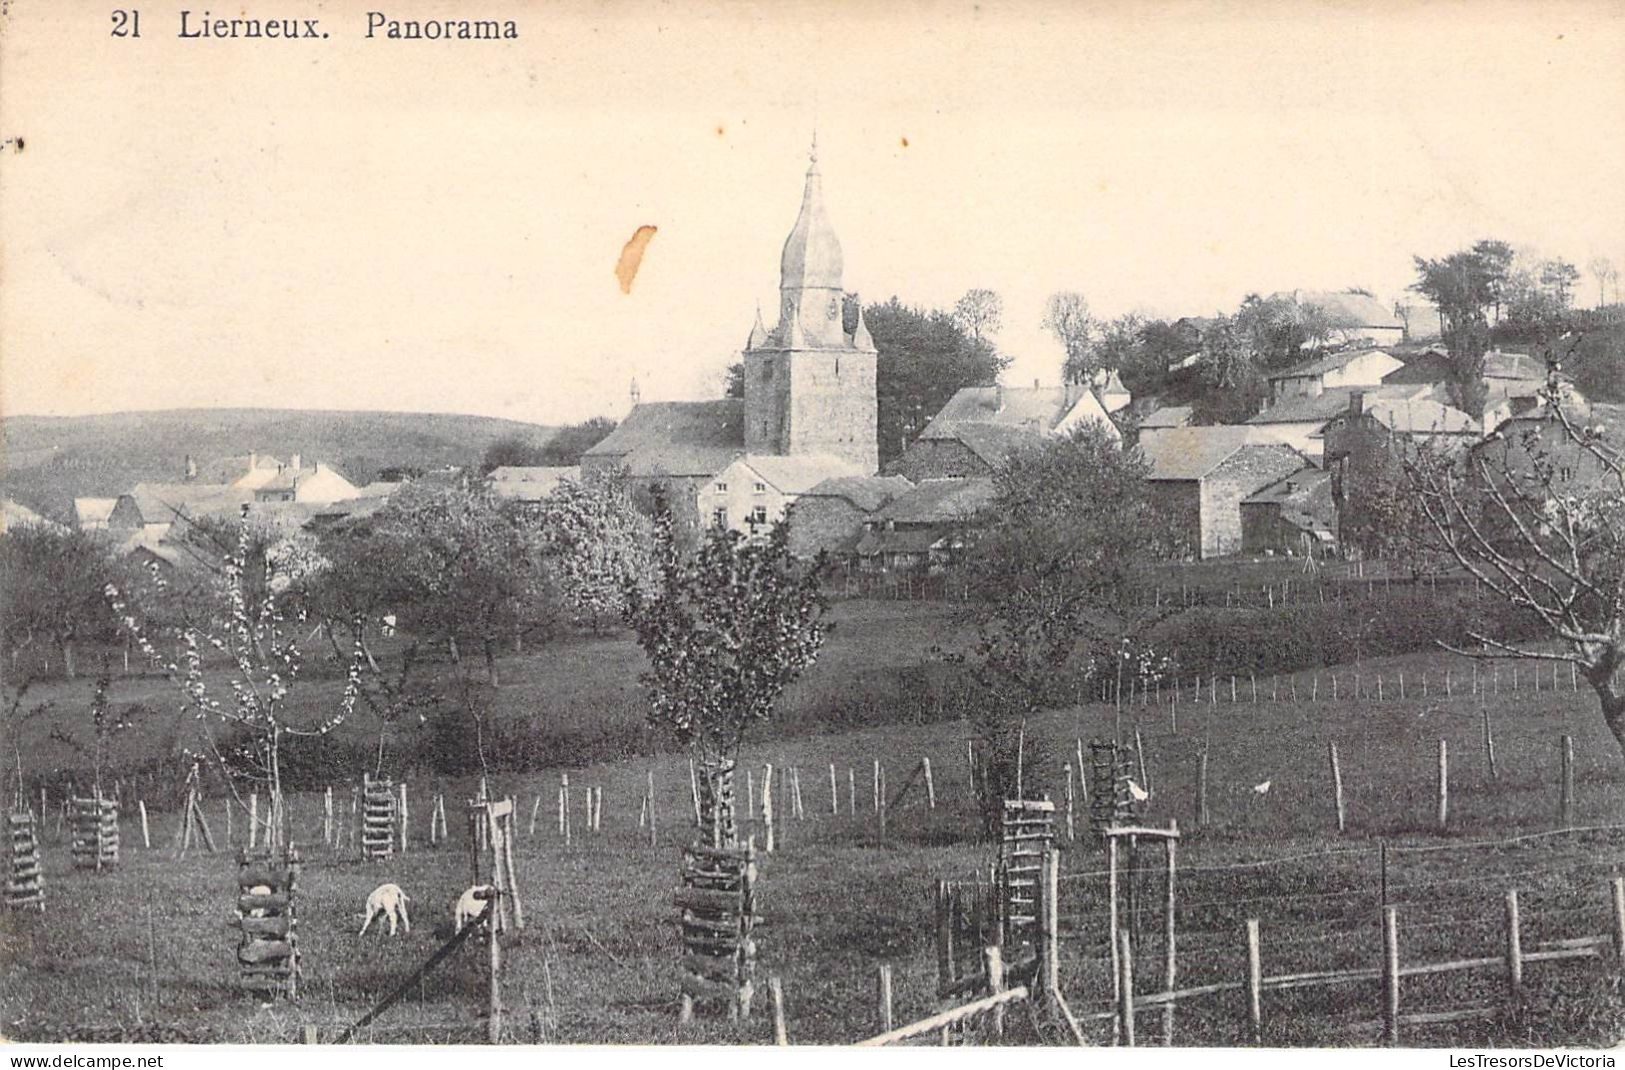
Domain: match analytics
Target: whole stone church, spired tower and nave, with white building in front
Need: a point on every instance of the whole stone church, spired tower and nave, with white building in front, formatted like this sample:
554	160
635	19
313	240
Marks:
808	393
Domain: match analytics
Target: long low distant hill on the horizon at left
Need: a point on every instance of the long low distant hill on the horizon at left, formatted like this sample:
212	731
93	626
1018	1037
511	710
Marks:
50	461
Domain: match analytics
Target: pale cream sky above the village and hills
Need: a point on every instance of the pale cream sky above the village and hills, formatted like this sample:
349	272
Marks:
433	225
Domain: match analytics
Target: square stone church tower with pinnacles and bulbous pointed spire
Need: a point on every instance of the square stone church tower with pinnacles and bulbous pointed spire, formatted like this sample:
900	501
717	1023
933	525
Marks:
808	383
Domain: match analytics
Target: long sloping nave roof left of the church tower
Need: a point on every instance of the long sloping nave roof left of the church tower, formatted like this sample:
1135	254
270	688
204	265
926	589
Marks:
677	438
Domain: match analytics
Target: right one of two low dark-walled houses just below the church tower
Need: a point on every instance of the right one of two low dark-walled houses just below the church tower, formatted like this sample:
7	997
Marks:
922	528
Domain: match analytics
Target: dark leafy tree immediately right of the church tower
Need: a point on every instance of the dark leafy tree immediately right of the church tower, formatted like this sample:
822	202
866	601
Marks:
925	357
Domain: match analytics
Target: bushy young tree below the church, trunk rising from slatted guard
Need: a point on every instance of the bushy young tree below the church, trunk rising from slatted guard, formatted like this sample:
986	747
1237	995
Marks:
726	630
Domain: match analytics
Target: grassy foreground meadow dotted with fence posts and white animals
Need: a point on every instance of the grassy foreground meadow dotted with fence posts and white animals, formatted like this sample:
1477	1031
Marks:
599	959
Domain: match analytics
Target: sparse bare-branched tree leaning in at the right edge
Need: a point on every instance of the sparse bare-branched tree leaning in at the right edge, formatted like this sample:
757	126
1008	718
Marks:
1538	518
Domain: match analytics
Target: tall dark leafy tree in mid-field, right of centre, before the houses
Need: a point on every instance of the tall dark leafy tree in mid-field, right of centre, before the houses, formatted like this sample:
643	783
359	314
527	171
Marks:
1051	570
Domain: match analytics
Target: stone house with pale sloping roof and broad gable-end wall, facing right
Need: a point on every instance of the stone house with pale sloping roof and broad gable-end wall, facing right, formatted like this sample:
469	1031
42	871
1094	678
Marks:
1202	476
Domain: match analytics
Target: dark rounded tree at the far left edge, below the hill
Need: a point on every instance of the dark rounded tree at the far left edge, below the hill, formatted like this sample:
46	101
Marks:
51	586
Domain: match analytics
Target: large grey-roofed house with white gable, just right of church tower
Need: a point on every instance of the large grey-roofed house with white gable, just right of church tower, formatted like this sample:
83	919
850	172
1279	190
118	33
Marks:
981	427
